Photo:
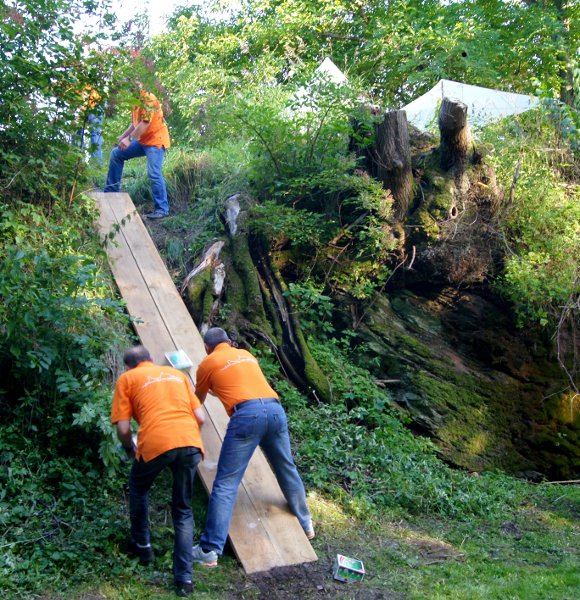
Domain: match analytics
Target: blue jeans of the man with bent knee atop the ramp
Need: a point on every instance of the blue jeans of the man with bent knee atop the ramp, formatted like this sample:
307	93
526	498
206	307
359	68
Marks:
155	158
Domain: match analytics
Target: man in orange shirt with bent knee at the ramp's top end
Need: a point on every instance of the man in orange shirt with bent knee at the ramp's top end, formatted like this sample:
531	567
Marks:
148	136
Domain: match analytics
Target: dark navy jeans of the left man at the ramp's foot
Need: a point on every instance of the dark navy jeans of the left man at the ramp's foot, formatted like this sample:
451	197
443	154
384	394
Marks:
182	462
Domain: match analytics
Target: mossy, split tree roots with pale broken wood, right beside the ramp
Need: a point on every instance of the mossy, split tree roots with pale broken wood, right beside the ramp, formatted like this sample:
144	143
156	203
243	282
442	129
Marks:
237	287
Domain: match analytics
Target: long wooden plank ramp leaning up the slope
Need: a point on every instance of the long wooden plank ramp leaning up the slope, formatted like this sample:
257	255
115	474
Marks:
263	533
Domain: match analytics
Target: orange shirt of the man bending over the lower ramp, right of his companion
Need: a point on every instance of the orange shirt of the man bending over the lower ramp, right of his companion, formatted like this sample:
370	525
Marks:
233	375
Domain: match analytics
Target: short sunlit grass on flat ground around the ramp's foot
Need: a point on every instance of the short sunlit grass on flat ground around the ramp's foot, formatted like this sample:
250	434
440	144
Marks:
531	556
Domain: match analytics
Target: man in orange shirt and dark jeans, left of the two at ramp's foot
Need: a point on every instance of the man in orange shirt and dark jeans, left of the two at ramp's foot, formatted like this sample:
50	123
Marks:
170	416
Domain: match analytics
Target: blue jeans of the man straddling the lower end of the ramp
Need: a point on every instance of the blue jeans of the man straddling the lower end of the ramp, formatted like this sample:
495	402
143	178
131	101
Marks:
255	422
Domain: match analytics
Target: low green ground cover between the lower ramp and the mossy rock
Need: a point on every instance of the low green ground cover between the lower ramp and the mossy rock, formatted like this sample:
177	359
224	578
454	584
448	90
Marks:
357	450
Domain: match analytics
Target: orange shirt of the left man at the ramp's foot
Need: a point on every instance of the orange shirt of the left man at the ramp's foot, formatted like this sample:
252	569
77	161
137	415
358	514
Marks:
162	401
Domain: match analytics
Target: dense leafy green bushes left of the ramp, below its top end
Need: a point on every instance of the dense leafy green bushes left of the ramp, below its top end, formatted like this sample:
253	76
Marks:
59	334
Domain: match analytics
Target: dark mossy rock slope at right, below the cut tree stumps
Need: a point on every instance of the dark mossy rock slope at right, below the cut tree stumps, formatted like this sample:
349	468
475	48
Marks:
470	383
